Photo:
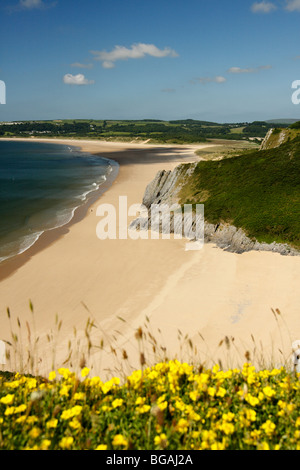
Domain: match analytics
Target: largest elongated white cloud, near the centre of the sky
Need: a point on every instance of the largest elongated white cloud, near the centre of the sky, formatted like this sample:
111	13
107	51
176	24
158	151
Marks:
136	51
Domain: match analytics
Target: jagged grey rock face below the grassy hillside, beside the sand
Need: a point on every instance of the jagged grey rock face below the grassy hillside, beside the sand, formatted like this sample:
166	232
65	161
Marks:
163	193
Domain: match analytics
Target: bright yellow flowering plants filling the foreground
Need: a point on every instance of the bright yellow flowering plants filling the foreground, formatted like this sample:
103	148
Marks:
170	406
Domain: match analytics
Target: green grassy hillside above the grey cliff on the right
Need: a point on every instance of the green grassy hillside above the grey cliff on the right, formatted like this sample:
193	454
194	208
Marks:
258	191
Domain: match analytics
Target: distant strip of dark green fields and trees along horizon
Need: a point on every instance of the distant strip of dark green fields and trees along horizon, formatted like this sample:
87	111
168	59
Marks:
153	131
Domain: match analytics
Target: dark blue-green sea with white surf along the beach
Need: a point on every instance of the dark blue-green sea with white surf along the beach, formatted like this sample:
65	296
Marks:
41	186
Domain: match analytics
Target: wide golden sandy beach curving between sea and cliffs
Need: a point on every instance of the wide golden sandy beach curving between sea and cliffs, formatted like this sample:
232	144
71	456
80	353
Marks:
155	284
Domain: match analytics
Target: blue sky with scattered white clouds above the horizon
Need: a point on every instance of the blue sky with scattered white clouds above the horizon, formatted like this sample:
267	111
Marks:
213	60
